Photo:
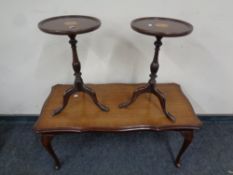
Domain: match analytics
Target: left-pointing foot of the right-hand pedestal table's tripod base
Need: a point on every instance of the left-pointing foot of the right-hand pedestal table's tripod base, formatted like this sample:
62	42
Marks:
135	95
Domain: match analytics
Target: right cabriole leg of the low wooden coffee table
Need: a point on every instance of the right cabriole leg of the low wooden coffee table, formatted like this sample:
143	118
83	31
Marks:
188	137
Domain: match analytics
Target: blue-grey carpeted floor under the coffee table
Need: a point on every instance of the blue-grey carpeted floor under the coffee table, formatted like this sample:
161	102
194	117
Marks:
132	153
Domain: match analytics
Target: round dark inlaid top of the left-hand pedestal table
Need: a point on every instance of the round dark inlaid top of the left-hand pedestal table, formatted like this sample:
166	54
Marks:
69	25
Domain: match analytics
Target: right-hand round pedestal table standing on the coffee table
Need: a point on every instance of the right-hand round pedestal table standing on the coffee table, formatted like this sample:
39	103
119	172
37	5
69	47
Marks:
158	27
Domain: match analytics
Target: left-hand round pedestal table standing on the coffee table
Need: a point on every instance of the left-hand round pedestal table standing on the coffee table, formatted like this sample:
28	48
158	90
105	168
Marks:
71	26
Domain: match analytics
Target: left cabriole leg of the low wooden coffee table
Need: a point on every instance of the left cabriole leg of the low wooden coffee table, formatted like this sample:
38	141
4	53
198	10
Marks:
46	142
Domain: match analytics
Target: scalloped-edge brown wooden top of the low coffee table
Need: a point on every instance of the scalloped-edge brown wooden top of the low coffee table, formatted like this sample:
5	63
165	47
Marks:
145	114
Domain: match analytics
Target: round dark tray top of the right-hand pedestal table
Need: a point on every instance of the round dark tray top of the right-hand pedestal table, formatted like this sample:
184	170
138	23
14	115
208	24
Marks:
163	27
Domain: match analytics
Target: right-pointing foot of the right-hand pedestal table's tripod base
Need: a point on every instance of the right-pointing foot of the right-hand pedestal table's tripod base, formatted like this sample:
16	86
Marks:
162	101
